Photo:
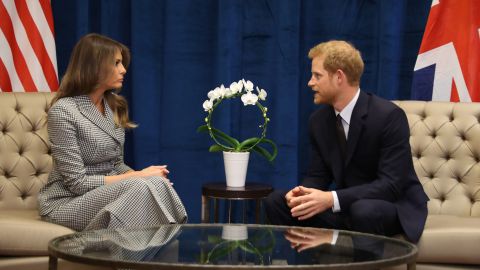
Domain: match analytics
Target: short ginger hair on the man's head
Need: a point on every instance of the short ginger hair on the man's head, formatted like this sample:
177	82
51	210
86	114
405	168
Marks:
340	55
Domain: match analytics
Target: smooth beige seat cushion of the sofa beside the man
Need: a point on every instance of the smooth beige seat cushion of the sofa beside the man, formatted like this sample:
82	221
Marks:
450	239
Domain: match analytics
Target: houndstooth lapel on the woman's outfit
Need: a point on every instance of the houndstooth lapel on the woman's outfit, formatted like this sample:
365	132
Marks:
104	122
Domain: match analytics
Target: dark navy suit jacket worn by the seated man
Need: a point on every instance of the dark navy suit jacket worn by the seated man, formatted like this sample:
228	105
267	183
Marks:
378	163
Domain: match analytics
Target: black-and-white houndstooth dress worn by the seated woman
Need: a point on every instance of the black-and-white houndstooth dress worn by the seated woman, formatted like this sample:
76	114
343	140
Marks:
87	146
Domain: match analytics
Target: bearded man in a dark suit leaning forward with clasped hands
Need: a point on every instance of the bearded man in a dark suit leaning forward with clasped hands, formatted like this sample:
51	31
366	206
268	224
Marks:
360	145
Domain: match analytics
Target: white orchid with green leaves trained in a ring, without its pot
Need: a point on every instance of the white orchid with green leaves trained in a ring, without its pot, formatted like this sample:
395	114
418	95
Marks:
223	142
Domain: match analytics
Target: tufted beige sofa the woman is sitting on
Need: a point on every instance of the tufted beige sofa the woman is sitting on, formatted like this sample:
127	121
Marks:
25	163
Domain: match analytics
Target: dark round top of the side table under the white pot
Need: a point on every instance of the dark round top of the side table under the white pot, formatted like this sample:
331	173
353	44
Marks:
249	191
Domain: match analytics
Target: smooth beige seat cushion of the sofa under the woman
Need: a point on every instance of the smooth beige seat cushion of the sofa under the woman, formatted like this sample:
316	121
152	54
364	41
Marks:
23	233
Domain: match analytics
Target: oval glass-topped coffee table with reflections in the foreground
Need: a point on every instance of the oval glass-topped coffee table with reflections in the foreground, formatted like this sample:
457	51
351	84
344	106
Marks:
229	246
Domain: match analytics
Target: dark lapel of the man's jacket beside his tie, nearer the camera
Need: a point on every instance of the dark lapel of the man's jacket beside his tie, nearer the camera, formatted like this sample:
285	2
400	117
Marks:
356	124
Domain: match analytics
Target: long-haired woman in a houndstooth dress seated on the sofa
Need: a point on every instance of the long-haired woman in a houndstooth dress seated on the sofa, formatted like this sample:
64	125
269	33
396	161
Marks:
90	187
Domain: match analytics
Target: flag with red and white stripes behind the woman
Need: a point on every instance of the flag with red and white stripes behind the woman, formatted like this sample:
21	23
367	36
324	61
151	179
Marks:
28	59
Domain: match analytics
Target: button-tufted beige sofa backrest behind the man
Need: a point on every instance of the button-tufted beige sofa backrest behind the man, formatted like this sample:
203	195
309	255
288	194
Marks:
445	144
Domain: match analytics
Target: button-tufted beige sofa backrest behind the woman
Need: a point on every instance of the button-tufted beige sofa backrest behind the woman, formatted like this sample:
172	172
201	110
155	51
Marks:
25	159
